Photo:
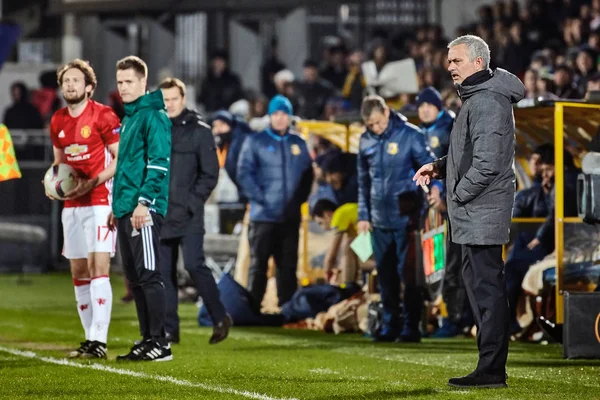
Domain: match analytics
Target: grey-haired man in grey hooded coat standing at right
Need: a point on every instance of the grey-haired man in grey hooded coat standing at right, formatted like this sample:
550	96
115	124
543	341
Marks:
481	186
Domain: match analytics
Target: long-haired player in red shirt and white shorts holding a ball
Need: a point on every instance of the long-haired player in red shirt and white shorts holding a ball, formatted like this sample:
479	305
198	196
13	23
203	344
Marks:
85	135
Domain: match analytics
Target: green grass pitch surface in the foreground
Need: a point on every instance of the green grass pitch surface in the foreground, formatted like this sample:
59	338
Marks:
39	325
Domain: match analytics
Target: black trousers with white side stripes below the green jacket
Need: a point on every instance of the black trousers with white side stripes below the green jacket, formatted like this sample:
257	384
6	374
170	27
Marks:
141	263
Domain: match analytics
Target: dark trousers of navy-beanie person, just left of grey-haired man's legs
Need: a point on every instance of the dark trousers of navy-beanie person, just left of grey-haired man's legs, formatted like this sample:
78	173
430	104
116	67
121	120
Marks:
453	289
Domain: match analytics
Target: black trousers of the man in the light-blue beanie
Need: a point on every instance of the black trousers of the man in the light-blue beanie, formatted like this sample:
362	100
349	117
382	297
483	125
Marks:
279	240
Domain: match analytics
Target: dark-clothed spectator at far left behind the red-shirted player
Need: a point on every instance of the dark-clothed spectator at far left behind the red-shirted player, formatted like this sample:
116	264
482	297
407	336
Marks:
22	114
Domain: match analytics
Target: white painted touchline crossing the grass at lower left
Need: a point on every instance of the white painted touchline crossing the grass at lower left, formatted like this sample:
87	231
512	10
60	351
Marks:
135	374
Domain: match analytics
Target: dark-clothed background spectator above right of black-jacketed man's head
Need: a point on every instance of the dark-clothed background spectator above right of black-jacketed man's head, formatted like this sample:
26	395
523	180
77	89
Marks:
221	87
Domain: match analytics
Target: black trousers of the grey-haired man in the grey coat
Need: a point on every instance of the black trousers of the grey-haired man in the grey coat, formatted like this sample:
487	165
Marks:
483	274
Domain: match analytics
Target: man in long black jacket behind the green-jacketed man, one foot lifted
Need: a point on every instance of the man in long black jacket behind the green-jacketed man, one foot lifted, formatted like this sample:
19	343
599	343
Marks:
194	175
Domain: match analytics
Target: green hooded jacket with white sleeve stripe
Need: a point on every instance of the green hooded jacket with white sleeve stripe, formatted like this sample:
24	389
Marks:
144	156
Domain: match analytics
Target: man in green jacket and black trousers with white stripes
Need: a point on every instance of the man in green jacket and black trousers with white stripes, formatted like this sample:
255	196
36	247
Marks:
140	198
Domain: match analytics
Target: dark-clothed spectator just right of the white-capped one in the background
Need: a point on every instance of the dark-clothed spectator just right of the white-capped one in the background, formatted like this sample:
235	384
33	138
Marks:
313	92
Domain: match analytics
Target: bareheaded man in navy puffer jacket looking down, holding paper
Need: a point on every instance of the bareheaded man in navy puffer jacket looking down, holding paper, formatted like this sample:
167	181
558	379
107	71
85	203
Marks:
389	151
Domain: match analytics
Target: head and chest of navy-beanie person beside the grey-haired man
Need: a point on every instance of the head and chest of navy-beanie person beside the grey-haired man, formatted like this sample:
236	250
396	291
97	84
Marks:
436	123
